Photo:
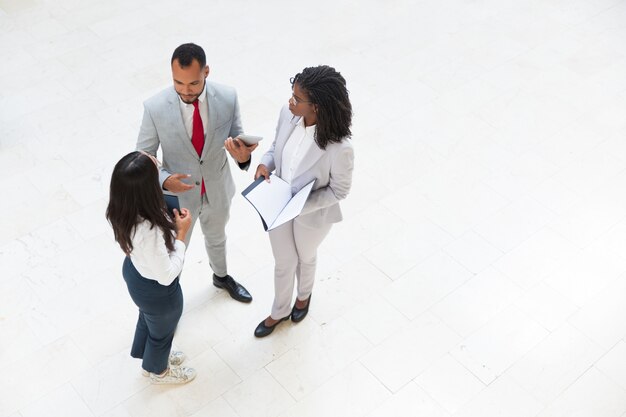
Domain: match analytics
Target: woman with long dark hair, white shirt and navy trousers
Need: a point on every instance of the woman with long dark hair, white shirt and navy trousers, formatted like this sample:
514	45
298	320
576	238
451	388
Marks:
155	251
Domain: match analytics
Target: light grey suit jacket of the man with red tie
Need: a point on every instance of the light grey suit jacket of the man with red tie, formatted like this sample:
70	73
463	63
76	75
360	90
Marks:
163	125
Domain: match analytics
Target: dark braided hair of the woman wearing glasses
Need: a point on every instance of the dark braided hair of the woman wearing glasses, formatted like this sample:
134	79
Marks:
326	88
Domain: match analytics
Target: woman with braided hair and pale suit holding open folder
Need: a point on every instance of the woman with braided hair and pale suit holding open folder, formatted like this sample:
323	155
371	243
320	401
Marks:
312	143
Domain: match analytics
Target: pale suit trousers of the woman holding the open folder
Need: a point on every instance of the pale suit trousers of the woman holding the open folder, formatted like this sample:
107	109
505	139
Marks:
294	245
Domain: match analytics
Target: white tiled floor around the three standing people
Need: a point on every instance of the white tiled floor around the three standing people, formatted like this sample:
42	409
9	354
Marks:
481	266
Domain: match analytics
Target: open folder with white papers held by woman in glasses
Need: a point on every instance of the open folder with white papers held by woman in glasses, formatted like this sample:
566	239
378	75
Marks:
274	202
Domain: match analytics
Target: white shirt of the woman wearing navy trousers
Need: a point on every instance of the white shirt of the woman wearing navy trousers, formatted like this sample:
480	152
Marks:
151	257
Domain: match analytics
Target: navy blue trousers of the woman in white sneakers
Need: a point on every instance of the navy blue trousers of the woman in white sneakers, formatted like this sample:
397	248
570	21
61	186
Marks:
160	308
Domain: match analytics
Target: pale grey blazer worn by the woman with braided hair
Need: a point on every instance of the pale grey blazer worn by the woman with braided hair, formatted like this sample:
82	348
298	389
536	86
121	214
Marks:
331	169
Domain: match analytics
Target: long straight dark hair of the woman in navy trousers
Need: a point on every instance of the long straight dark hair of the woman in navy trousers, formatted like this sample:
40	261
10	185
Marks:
134	196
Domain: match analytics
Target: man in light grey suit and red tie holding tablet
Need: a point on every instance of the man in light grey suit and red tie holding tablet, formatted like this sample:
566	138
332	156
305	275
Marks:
193	122
